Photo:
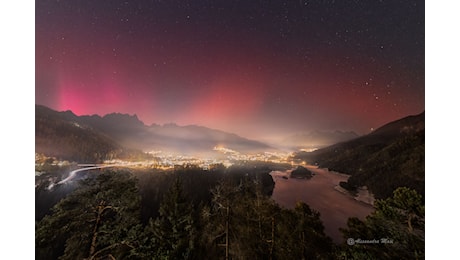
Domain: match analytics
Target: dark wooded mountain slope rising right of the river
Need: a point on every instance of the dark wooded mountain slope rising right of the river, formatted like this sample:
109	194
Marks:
390	157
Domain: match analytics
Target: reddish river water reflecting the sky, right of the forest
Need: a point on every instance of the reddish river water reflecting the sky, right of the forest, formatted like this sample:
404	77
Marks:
321	193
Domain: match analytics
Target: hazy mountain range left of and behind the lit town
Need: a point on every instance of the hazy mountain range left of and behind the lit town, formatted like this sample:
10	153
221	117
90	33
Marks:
64	134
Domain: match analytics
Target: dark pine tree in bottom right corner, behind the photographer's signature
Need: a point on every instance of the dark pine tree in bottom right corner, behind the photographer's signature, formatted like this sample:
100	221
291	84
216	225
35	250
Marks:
398	224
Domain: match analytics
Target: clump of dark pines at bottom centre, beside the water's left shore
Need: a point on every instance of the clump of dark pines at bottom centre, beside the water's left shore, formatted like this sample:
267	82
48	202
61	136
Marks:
243	223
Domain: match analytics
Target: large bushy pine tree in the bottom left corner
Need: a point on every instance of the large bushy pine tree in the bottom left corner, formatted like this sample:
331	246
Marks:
95	221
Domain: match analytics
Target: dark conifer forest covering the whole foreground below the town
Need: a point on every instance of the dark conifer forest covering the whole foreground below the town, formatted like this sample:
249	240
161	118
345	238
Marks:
221	213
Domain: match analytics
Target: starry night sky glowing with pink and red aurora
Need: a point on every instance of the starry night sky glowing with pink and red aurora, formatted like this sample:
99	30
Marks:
260	69
